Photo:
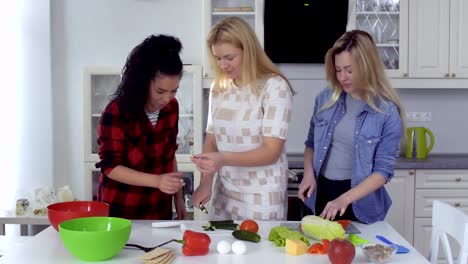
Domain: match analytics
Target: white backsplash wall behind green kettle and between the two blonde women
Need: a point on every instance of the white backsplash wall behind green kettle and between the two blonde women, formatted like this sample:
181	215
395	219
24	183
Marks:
448	107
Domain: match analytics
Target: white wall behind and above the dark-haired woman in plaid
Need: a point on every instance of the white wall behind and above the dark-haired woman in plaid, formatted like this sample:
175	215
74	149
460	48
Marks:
102	33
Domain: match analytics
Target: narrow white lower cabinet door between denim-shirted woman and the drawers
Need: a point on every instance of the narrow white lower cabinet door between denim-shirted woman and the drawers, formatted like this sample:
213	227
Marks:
401	214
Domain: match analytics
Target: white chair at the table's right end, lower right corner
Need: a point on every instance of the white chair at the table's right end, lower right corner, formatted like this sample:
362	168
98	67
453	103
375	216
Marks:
447	219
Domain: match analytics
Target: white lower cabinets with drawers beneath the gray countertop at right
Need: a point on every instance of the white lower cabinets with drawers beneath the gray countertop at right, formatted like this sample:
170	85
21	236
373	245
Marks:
412	193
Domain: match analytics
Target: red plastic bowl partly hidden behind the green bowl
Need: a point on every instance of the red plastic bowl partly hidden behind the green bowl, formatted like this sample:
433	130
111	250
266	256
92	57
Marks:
59	212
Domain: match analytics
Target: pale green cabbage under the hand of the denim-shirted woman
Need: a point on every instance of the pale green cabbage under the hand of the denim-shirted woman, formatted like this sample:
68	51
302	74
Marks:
319	228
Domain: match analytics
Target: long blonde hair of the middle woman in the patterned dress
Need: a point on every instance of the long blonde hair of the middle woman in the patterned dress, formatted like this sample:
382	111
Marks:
256	64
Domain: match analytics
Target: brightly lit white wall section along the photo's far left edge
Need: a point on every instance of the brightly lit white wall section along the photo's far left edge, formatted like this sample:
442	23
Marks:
26	98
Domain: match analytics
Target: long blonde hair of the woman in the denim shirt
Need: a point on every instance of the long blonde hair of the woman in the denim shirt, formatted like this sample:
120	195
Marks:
368	70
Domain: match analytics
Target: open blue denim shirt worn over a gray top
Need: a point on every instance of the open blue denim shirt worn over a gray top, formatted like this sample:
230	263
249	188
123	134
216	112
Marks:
376	139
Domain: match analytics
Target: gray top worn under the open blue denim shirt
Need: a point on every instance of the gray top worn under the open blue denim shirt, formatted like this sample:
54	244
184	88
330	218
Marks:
339	162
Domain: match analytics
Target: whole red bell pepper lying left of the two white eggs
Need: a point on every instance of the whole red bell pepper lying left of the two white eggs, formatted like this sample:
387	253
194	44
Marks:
195	243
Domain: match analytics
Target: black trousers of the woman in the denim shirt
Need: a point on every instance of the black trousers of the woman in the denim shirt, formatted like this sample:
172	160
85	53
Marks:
329	190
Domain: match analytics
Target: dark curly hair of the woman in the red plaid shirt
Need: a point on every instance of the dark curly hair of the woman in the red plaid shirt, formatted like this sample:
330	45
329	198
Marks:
155	55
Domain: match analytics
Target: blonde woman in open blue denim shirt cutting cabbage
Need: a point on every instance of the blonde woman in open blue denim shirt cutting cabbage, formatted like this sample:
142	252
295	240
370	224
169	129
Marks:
354	135
